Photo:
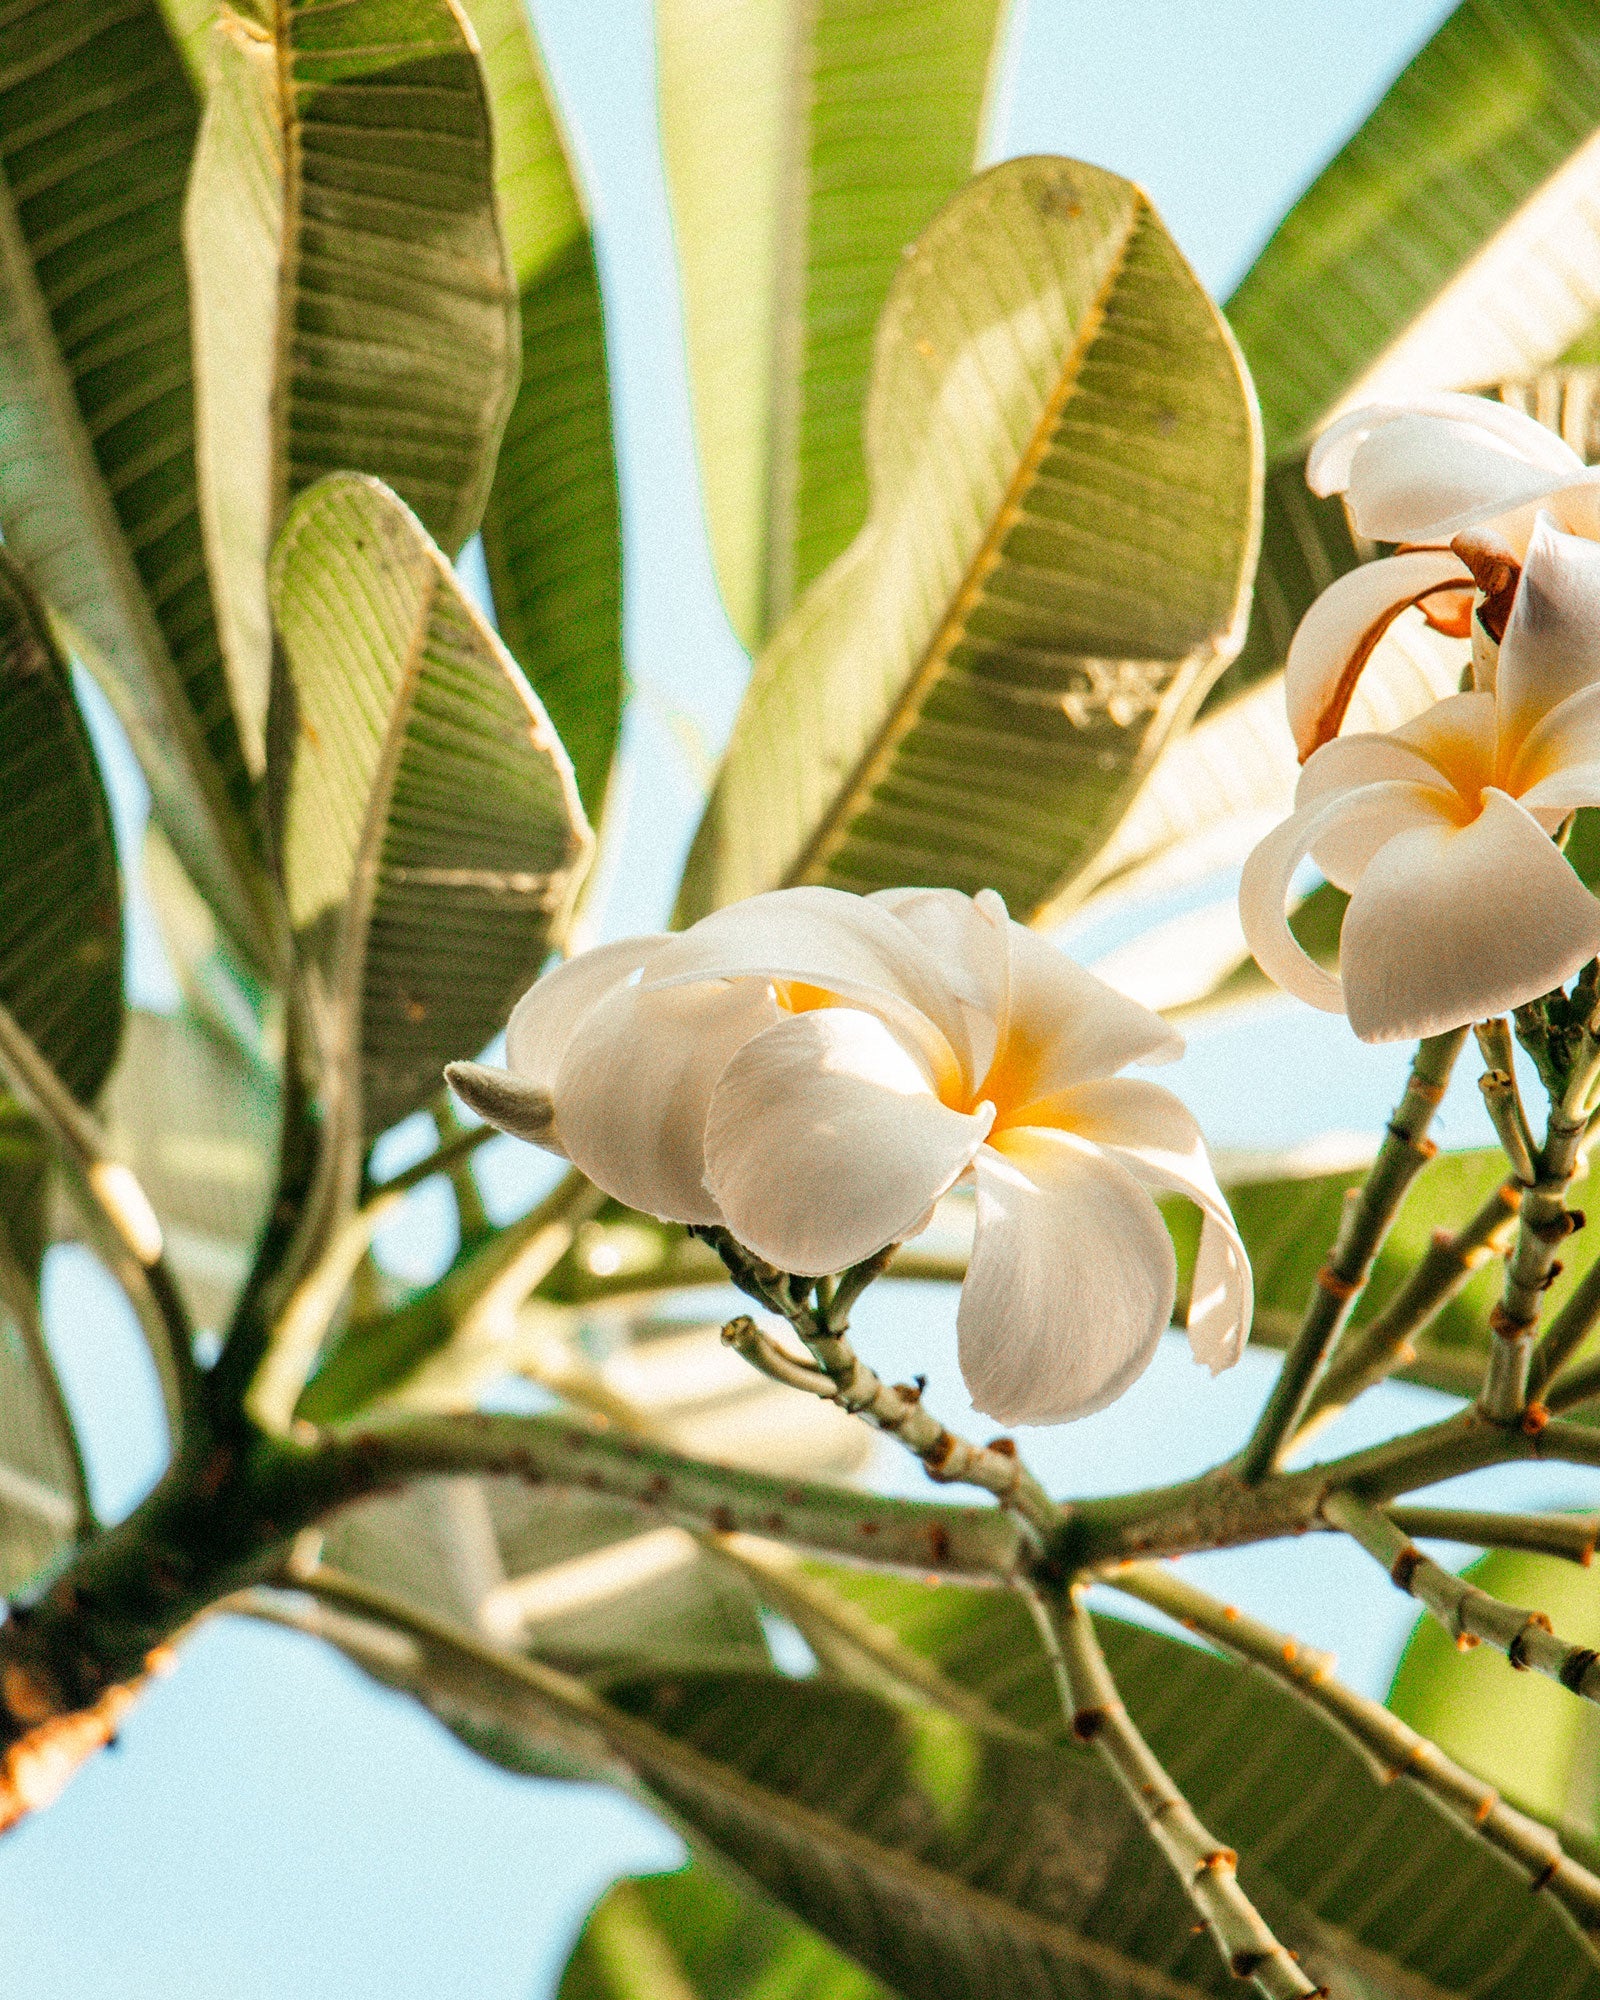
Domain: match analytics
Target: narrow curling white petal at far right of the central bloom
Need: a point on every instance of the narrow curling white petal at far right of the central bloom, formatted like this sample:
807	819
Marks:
1159	1141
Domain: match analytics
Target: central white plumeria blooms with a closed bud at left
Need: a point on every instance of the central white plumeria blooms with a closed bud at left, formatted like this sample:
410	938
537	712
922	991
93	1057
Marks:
815	1071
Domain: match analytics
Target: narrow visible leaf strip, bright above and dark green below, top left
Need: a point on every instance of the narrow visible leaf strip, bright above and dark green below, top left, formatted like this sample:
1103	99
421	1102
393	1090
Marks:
553	531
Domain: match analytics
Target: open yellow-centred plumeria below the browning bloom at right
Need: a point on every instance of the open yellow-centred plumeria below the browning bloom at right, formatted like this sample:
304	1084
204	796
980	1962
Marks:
1461	905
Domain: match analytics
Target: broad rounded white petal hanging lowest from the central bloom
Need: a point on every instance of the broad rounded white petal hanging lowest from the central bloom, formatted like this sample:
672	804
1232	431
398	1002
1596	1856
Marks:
1071	1281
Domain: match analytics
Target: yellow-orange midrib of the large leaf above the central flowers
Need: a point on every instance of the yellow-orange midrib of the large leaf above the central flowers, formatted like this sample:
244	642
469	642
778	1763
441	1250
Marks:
835	827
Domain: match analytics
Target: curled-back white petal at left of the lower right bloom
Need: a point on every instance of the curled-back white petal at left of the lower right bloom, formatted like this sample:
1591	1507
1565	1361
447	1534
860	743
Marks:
1371	815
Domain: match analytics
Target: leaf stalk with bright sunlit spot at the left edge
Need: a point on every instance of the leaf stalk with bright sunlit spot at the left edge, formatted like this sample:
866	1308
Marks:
119	1219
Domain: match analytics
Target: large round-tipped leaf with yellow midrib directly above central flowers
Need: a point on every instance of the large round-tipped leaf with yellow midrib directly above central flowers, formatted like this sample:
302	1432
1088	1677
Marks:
981	681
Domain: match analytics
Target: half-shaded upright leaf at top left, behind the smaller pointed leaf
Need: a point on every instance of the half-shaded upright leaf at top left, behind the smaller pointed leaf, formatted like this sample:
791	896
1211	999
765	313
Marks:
353	311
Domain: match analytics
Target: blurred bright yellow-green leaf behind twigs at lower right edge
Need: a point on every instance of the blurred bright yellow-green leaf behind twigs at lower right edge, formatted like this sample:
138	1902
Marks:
1527	1735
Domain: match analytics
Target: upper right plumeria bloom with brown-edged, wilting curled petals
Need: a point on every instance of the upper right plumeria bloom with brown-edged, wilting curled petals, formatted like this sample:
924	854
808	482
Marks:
1455	479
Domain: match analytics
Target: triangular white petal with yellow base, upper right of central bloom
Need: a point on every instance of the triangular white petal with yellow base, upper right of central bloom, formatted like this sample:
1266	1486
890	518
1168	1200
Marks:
1067	1025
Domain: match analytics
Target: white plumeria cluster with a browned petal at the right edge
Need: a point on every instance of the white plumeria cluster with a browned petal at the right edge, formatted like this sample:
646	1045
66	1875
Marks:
1461	903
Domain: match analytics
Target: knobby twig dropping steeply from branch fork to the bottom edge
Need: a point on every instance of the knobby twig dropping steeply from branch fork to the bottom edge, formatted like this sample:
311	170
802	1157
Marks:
1207	1871
